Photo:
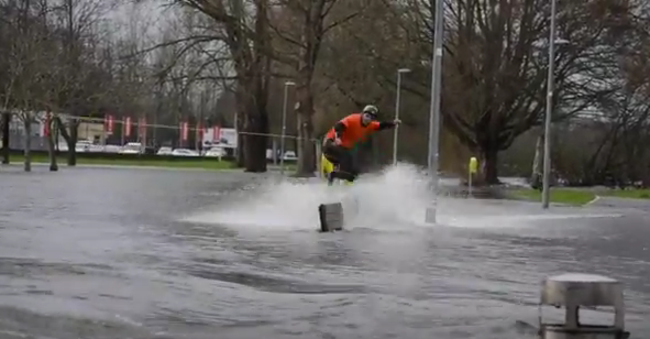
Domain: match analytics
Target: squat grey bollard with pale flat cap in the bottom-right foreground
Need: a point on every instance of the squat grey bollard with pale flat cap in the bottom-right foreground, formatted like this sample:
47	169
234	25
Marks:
572	291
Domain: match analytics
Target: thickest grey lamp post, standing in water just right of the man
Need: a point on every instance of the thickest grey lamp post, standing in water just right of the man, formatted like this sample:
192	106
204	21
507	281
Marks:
434	115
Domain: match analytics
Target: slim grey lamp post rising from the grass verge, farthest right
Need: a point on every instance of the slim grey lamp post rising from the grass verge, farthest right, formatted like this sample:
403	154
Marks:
549	110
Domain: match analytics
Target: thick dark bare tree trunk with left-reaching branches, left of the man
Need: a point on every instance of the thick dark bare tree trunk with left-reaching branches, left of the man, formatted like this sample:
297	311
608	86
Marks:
245	33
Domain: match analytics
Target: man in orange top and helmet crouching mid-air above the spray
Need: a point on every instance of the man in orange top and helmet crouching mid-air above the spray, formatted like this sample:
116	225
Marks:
341	138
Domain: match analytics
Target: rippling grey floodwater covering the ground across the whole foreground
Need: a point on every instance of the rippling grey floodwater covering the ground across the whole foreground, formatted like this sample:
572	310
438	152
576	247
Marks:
118	253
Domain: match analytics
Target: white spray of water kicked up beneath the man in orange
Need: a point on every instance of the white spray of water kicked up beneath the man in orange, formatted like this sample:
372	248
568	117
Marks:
393	197
